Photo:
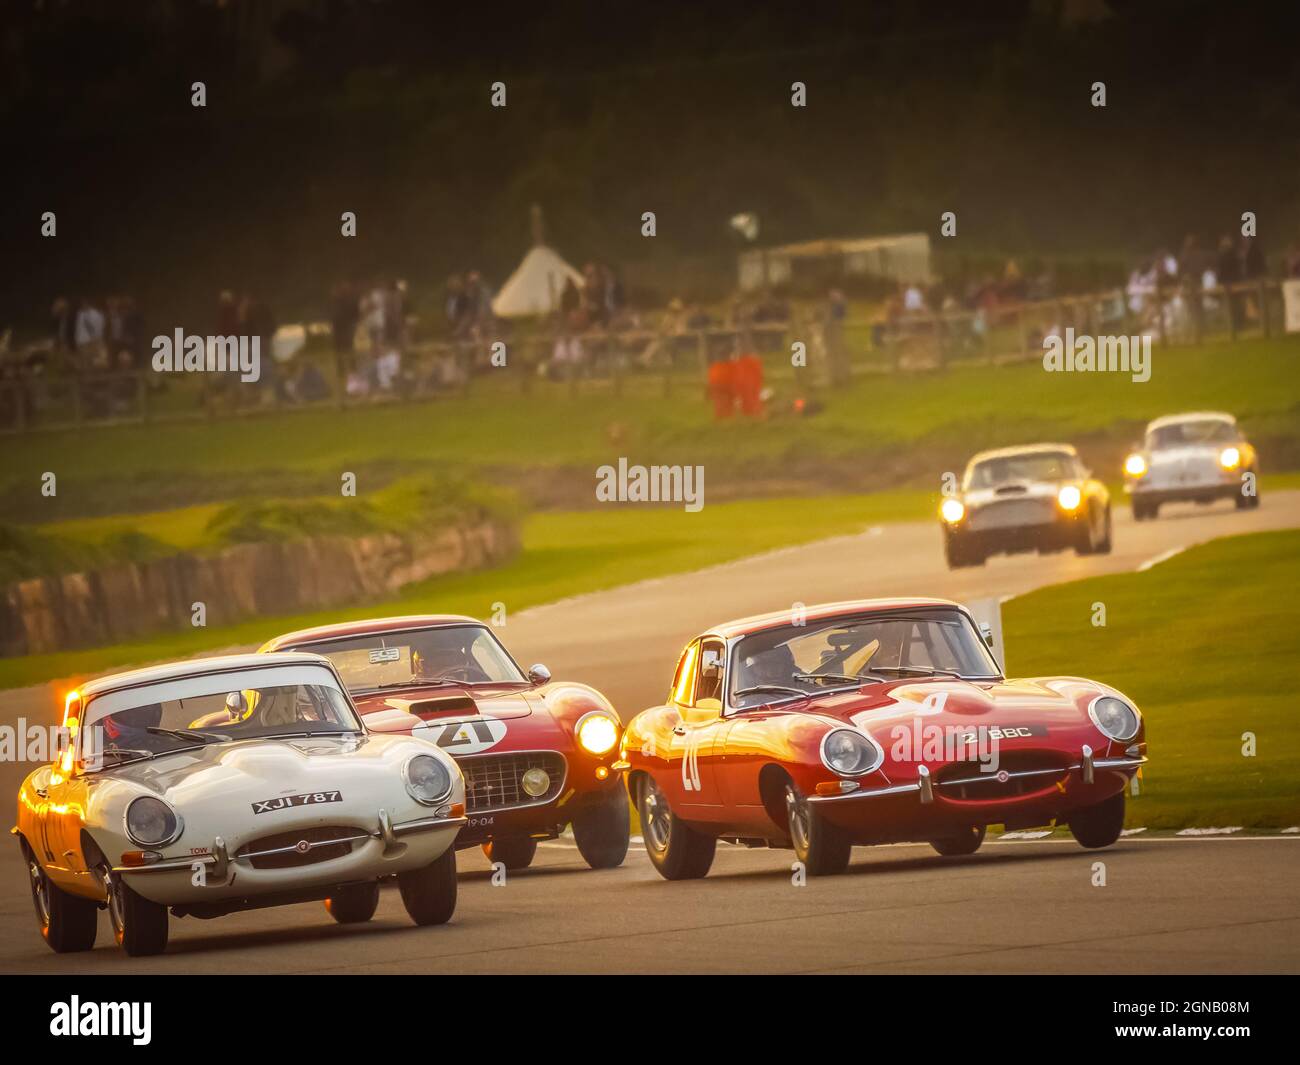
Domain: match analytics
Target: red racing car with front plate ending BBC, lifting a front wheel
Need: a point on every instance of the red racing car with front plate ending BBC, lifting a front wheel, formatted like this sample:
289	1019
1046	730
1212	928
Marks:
879	721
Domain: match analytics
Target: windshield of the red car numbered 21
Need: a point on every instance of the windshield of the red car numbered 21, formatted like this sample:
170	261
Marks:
450	655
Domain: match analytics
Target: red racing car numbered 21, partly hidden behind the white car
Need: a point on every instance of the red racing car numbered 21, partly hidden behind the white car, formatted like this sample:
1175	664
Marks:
536	755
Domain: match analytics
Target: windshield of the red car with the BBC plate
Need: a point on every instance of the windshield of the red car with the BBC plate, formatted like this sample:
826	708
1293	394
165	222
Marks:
848	652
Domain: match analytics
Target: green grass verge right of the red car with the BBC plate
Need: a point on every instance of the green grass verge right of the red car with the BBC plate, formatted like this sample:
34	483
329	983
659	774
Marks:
1207	646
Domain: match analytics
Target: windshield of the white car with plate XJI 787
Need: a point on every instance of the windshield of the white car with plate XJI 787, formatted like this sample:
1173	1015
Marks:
185	713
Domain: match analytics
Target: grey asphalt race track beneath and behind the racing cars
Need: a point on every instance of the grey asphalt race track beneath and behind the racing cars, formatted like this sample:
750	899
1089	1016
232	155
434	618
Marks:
1169	906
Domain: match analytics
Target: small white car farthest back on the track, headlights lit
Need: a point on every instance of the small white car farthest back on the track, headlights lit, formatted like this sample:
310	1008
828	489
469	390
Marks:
1198	457
